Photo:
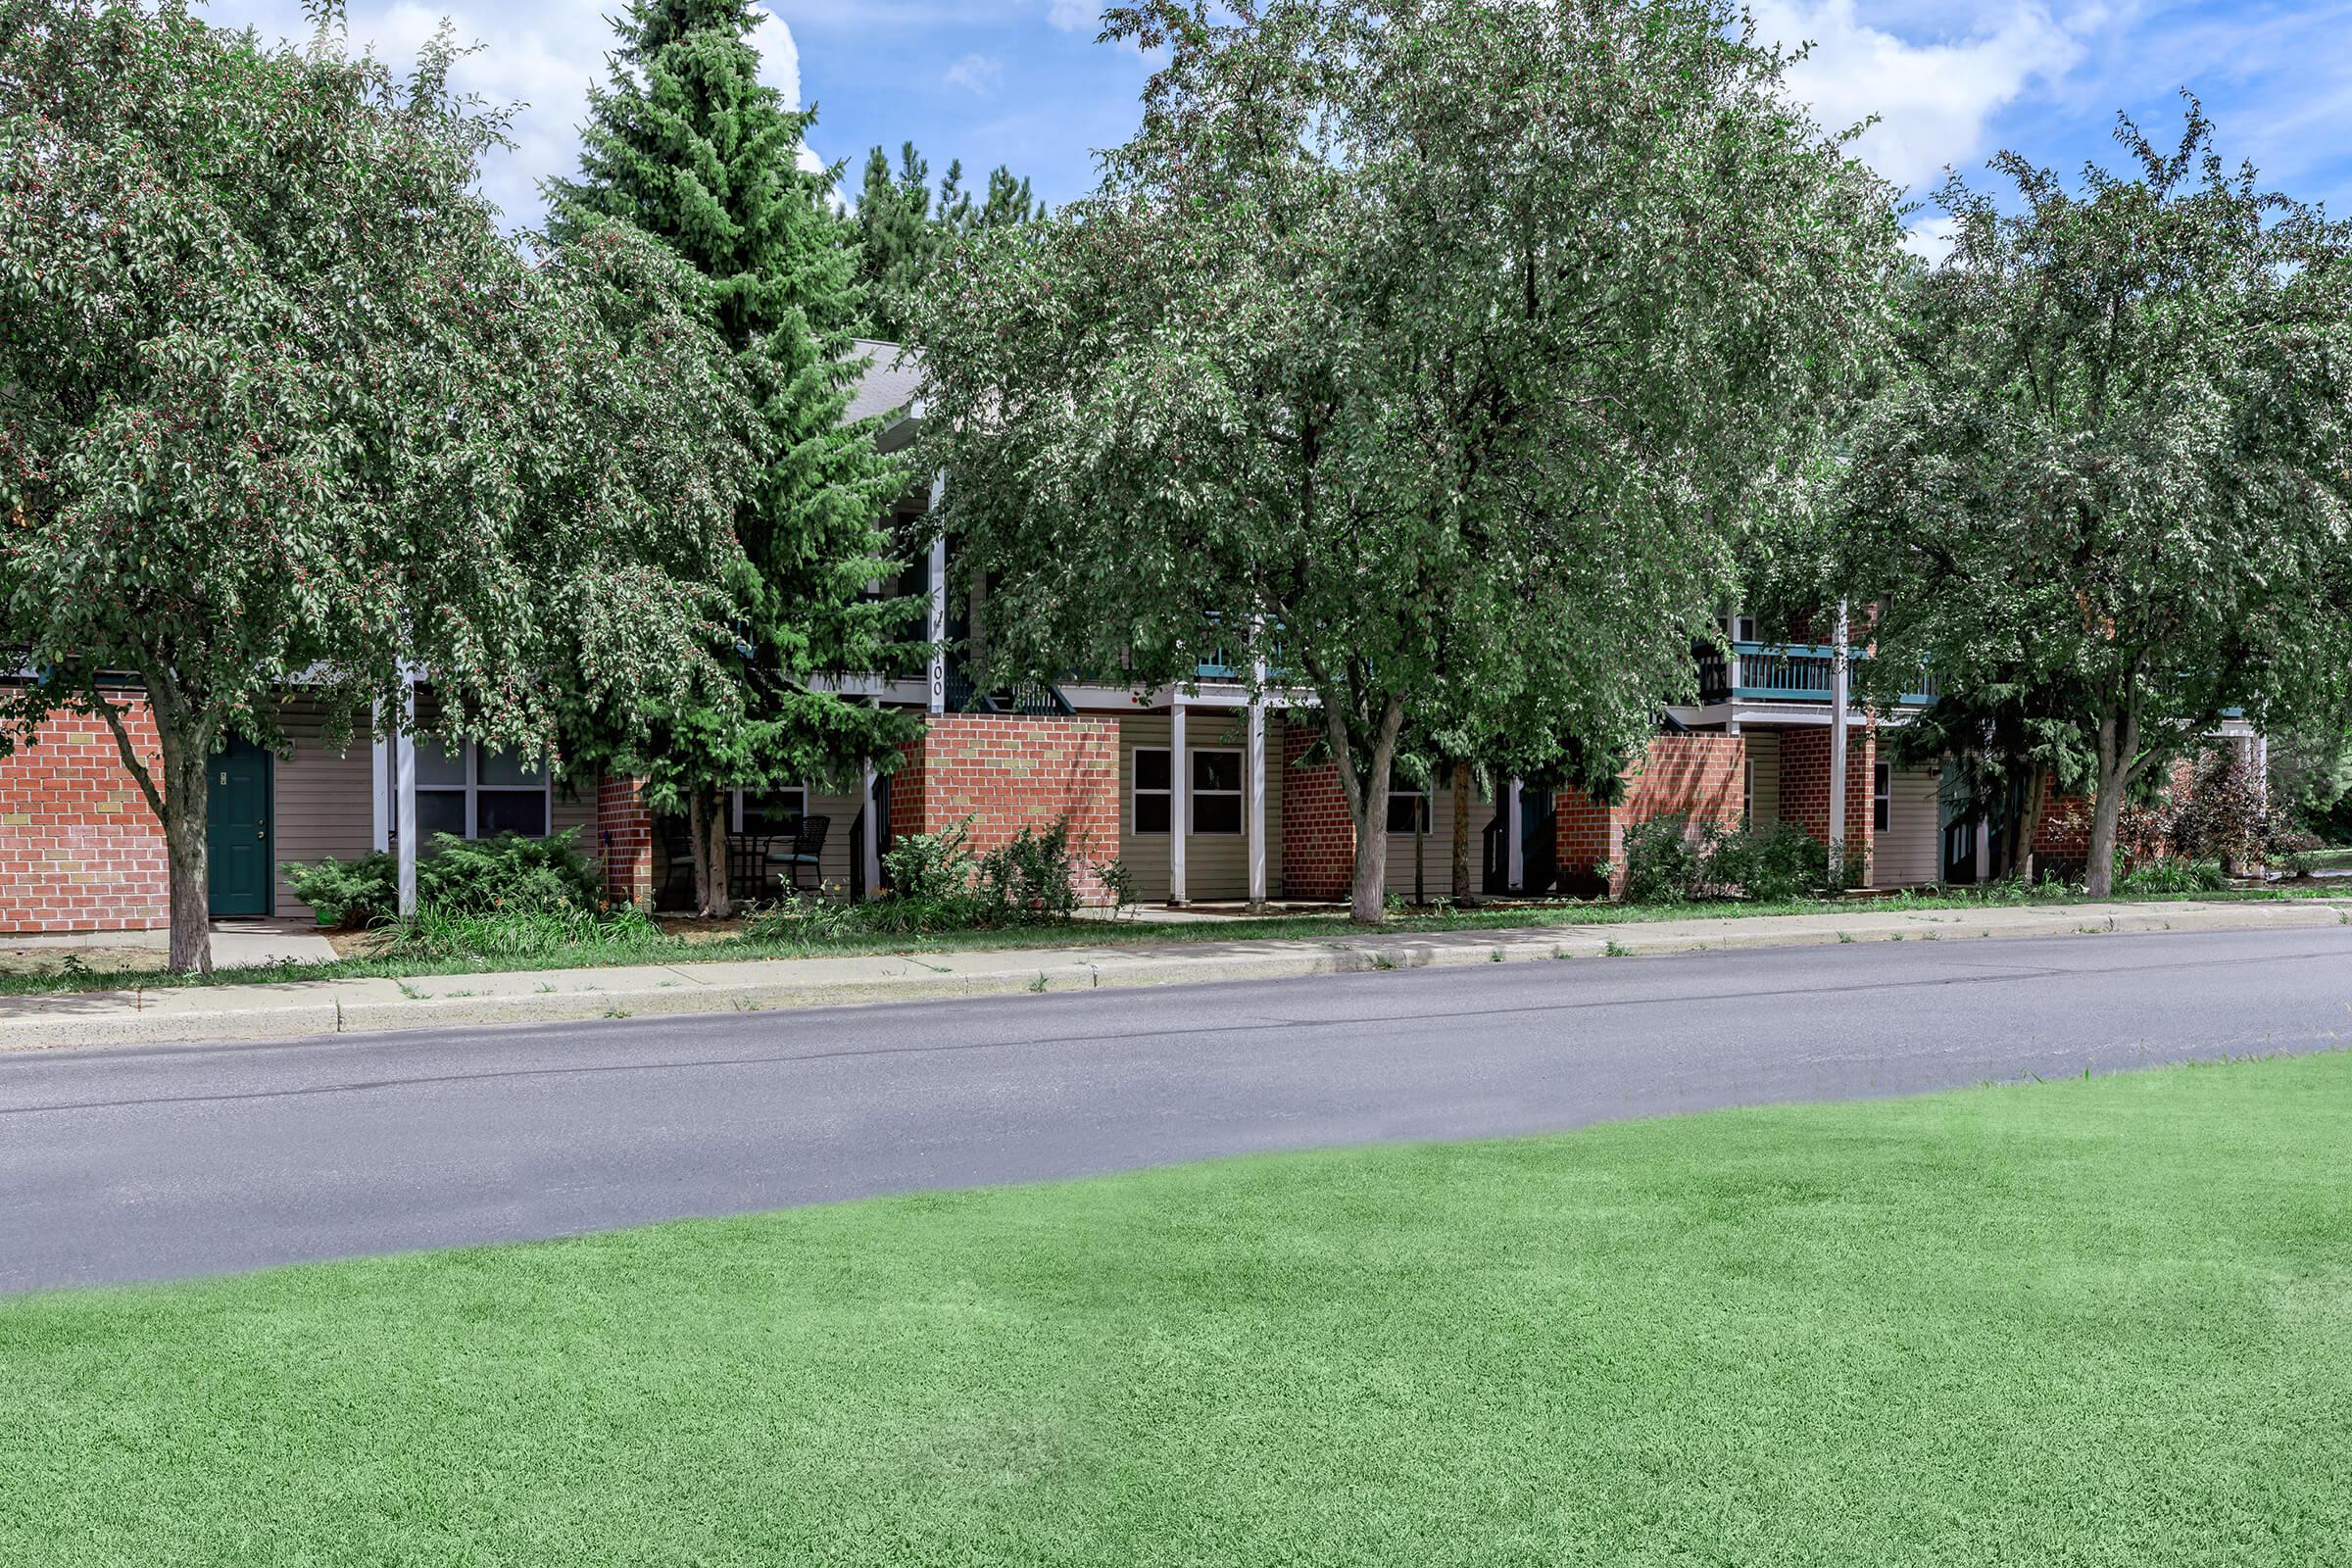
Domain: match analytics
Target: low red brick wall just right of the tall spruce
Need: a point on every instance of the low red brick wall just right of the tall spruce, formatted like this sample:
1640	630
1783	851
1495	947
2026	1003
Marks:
1005	775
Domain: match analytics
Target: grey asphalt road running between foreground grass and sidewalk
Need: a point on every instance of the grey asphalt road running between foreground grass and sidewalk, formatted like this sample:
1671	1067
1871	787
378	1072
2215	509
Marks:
194	1160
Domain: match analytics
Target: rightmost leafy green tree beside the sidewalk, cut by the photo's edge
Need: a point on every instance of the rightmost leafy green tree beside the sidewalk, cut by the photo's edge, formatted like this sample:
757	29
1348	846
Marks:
2109	474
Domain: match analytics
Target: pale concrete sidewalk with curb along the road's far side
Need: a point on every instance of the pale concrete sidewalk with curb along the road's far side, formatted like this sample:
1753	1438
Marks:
333	1007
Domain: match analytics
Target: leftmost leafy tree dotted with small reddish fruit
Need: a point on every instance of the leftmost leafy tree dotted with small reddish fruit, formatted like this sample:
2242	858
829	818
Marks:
283	408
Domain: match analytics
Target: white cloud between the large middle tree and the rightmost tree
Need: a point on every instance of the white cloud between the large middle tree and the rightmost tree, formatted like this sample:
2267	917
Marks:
1932	98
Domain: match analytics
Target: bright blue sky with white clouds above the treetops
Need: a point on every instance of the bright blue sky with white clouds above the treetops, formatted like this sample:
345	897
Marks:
1024	83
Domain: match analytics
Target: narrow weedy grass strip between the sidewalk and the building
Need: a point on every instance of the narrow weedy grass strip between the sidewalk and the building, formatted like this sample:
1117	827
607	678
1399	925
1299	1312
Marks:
48	972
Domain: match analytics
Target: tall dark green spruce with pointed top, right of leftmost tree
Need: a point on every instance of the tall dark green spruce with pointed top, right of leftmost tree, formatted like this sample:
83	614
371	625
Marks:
690	147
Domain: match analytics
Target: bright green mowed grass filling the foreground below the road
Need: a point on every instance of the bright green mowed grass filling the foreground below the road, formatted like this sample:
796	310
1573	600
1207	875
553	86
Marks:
2090	1322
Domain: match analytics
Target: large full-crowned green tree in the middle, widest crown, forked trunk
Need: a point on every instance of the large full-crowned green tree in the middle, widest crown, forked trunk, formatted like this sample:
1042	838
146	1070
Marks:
1415	349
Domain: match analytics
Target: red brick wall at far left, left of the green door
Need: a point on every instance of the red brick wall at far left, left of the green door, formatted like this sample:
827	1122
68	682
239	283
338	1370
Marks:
79	845
